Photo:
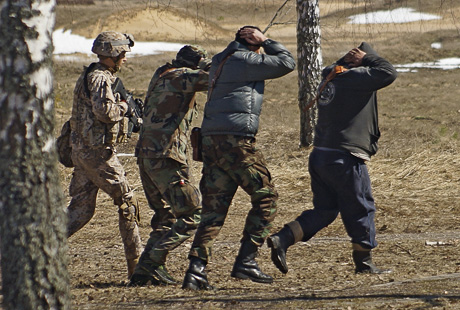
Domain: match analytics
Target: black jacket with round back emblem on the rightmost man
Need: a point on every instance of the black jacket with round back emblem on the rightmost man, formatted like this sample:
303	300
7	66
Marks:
347	107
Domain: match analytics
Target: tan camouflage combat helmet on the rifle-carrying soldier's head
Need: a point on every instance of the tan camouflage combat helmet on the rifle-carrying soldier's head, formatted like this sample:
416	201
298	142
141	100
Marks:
112	43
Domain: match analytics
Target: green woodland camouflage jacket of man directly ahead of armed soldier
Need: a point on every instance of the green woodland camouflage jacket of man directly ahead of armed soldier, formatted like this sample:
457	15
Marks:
169	109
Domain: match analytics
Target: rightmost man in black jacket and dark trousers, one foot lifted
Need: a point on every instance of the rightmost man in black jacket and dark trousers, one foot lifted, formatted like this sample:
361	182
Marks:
345	137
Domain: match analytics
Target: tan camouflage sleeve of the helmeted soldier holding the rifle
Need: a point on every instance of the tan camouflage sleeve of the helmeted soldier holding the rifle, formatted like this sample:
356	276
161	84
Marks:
106	107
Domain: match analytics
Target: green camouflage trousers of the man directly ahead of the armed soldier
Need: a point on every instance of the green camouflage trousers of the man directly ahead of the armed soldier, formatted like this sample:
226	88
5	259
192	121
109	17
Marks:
177	206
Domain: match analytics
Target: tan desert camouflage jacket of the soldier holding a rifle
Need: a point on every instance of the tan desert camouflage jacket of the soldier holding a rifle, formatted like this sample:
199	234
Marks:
97	118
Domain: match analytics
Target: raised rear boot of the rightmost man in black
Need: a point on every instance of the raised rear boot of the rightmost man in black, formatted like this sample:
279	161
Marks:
279	244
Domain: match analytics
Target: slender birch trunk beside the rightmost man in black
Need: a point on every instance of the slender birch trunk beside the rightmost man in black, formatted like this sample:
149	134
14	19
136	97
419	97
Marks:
309	65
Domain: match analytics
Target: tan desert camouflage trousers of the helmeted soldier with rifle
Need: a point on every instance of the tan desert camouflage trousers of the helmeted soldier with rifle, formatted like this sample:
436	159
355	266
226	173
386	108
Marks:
101	169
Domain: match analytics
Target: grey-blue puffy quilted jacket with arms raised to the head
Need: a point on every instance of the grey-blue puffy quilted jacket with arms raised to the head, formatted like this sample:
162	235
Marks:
236	100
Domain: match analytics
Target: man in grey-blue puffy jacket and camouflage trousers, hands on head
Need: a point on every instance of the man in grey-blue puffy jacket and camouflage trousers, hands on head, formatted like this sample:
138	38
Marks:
230	156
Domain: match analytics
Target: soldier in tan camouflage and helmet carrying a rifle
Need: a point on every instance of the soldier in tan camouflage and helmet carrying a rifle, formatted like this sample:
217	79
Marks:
97	125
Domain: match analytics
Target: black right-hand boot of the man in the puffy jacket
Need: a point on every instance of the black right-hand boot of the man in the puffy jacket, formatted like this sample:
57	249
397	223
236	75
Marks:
246	267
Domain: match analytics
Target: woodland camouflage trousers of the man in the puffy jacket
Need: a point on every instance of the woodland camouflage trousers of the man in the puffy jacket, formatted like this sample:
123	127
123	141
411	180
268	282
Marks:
229	162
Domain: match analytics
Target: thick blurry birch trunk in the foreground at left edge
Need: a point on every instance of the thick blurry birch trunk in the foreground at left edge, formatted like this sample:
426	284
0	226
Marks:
33	219
